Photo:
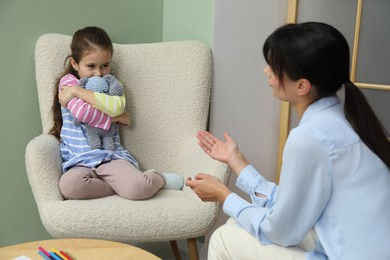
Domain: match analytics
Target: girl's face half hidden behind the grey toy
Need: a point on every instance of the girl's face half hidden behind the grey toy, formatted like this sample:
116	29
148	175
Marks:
96	62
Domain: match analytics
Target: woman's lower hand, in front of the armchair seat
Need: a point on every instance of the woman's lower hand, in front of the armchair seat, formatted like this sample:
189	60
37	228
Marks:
208	188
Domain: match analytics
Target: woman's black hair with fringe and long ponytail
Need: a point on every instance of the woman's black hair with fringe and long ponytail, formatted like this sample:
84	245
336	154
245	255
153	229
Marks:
319	53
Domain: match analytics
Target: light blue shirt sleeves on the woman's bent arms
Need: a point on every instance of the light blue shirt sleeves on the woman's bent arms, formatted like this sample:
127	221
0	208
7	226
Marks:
289	211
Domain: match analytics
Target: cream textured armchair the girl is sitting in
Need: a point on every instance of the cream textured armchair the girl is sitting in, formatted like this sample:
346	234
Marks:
167	87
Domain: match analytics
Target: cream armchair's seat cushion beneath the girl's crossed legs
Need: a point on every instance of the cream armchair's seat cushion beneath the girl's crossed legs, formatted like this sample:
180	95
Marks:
118	219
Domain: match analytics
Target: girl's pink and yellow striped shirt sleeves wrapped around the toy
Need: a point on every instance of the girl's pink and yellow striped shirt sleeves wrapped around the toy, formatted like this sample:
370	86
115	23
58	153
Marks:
99	116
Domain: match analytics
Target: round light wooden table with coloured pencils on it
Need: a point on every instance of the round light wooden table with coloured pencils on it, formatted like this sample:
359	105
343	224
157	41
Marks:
78	249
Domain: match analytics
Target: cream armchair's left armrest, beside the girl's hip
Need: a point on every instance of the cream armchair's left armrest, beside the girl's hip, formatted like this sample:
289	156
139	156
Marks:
43	166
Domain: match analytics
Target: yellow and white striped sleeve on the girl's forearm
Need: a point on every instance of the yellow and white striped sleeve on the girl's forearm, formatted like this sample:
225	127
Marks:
111	105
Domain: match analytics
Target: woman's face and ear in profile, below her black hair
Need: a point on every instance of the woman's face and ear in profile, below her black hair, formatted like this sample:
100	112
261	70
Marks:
285	90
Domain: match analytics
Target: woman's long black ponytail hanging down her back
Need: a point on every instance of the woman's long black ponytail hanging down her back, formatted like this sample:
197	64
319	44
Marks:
365	123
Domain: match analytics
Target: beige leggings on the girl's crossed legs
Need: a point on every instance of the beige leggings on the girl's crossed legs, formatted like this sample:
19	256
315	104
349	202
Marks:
116	177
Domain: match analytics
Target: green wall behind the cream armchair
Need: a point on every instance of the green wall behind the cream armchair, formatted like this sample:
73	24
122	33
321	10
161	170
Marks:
21	23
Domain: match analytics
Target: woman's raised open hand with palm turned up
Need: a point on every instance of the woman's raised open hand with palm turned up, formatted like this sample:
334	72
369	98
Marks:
224	151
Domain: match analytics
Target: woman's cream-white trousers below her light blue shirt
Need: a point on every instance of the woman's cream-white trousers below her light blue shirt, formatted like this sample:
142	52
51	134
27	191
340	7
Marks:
233	242
